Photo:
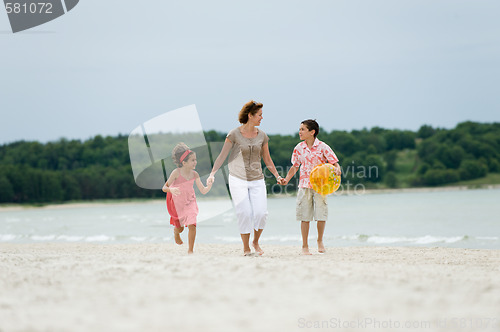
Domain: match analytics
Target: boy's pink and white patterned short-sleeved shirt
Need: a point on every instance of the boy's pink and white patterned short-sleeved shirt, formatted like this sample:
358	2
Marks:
306	158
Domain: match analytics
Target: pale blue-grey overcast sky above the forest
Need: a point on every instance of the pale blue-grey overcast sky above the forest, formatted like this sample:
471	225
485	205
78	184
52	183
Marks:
108	66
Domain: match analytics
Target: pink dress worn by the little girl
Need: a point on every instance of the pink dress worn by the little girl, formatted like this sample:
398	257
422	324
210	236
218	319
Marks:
185	209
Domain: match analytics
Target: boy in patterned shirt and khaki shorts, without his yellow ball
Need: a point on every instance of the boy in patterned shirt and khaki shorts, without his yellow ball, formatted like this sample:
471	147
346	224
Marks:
307	154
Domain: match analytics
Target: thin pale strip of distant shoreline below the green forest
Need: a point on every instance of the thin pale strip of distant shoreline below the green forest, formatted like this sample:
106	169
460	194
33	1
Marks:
107	202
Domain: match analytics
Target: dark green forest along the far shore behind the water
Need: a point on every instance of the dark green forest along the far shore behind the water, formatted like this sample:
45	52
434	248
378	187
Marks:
99	168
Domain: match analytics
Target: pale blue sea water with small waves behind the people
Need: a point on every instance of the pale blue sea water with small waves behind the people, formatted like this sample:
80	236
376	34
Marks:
463	219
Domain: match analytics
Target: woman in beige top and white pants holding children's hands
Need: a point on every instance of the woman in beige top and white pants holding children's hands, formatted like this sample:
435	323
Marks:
246	146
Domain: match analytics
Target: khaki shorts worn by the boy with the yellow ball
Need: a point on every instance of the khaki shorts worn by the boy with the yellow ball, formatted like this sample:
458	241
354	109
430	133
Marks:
311	204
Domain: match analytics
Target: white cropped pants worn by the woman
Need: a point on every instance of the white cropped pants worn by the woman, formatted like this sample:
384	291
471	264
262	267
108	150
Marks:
250	203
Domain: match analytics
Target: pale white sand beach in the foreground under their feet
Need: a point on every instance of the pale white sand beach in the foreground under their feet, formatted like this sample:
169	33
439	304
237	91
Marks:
157	287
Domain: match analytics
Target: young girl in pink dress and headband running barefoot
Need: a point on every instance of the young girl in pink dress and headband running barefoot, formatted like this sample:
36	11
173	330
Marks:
181	199
